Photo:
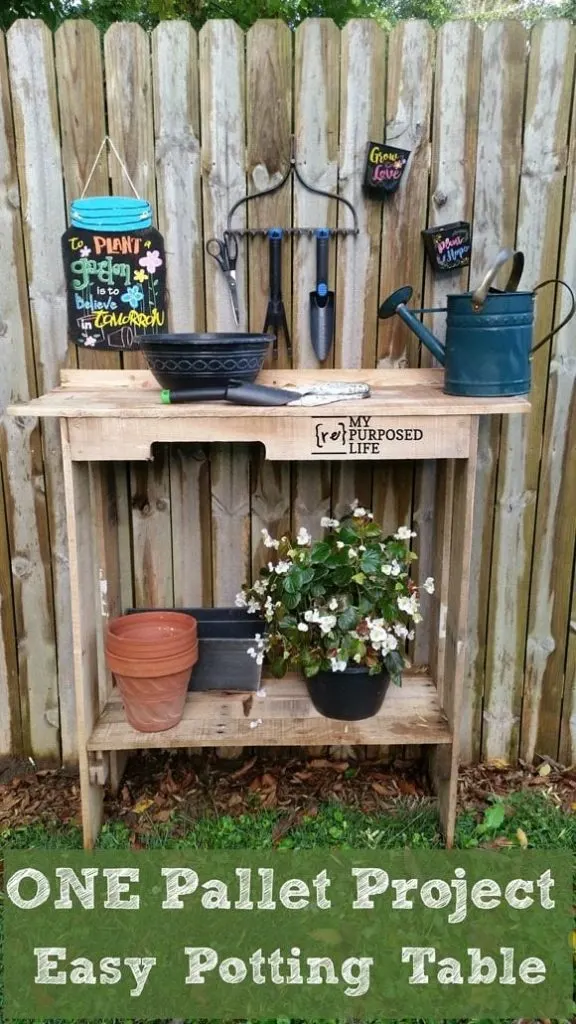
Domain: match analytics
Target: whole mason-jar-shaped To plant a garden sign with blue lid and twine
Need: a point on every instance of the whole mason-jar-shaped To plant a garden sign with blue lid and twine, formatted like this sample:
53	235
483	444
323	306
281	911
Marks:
115	267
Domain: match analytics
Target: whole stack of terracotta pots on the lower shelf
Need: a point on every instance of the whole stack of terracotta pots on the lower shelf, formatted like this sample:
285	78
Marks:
151	656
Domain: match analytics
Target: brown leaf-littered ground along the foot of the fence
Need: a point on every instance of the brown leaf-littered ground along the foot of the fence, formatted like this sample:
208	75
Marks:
161	783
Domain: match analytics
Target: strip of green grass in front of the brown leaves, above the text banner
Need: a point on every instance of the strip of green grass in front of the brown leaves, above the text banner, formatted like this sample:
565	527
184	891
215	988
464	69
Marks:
522	817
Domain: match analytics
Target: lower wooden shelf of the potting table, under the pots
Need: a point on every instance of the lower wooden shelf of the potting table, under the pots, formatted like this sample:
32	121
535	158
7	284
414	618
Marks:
285	717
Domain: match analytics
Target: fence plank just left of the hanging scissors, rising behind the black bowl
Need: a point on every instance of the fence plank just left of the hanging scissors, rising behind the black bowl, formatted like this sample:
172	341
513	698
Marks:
177	127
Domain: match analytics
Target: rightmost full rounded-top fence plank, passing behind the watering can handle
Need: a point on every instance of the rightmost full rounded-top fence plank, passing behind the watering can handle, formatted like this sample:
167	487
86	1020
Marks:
544	168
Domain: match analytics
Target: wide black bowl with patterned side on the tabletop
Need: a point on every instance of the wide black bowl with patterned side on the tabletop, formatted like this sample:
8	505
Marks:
199	361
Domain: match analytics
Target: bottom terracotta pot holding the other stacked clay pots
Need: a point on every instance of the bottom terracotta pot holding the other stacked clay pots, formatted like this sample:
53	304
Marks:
154	693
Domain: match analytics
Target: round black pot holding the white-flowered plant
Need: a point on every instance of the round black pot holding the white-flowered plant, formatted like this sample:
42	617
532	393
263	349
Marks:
350	696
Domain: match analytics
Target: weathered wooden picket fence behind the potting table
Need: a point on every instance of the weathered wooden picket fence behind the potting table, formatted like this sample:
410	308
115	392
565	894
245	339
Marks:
200	120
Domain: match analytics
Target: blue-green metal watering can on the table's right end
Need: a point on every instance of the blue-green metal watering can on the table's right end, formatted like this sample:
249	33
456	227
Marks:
488	348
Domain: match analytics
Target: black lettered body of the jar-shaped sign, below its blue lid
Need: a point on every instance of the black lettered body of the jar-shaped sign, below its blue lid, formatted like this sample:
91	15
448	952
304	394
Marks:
116	285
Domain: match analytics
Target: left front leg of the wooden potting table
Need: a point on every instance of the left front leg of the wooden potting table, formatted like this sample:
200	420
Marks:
85	619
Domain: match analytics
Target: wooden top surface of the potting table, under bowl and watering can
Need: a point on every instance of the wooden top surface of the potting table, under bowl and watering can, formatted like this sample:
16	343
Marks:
135	395
